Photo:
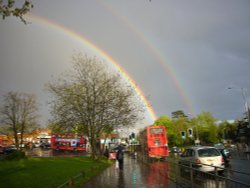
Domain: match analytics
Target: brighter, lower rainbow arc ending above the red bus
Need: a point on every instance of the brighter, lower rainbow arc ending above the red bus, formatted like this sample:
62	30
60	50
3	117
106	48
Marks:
90	45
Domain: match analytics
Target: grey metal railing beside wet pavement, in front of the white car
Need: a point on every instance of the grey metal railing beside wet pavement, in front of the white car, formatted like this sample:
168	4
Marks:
189	176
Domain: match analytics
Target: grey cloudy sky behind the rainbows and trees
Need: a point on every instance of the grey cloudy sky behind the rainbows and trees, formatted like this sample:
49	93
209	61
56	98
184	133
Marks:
182	54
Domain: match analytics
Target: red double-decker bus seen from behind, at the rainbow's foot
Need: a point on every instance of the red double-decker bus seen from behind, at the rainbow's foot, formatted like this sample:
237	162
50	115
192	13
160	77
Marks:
154	142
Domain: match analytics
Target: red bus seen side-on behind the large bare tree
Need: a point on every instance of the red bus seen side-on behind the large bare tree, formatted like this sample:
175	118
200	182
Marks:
68	142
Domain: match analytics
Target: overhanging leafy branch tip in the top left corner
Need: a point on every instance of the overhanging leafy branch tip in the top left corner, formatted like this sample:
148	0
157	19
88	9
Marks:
8	8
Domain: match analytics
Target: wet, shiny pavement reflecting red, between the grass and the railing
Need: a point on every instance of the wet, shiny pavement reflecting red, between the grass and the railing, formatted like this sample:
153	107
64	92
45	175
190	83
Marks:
135	174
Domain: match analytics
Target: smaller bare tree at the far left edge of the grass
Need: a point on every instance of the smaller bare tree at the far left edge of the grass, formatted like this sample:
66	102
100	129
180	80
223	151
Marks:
18	113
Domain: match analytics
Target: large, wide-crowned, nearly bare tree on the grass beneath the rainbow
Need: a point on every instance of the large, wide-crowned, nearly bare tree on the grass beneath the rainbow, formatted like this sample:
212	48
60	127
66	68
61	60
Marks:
93	99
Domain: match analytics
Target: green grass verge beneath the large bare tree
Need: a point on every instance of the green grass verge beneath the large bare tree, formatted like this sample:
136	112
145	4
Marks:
48	172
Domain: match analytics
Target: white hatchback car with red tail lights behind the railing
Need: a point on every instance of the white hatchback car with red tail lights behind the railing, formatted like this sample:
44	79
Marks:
204	158
